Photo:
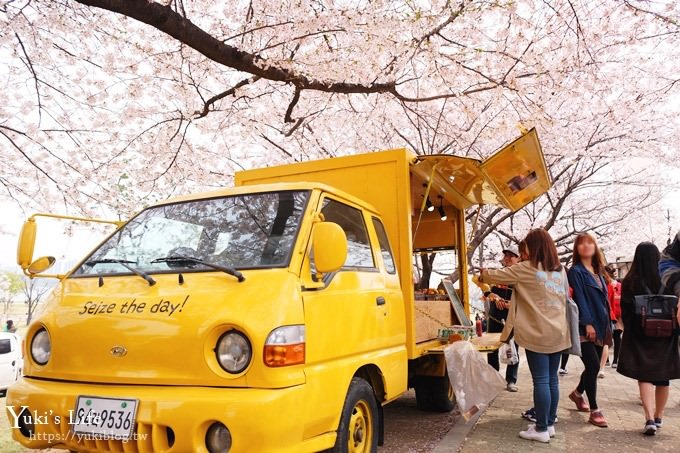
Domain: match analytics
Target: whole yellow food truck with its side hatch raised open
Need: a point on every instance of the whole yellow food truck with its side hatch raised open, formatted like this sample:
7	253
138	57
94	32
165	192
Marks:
275	316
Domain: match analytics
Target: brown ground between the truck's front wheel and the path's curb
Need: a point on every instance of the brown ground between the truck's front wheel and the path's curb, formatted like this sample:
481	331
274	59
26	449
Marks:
408	429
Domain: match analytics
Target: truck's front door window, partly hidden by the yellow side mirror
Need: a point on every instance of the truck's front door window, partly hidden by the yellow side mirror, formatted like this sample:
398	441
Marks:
352	222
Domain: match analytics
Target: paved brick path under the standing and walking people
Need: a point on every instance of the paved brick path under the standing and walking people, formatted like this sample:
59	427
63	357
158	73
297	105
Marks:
497	429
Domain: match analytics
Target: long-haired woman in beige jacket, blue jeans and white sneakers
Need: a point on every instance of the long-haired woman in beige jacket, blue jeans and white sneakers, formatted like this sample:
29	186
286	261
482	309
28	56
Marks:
538	322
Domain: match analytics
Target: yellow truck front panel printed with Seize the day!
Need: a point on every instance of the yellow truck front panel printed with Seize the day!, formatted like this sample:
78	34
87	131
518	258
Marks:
127	332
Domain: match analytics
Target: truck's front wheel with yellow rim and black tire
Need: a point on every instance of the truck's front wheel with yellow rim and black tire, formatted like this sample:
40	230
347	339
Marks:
358	430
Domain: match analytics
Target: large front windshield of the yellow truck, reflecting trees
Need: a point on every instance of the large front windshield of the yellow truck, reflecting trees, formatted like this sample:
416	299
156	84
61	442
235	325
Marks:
237	232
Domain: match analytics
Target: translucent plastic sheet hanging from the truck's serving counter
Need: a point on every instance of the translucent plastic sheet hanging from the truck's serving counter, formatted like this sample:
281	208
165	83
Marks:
474	381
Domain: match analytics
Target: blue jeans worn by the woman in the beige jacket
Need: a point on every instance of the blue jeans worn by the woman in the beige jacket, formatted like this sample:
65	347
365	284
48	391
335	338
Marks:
543	369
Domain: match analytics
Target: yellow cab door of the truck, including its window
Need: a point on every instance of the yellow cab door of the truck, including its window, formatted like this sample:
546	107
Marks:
346	320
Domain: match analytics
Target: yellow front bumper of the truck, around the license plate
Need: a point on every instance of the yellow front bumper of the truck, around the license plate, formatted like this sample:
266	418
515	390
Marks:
169	419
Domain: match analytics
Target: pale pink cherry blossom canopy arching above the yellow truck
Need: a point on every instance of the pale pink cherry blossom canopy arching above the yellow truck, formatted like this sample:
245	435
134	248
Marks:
109	105
